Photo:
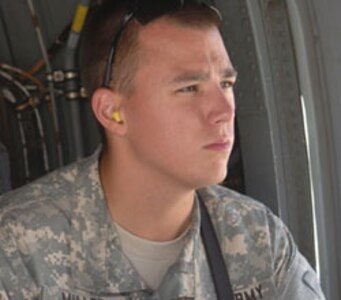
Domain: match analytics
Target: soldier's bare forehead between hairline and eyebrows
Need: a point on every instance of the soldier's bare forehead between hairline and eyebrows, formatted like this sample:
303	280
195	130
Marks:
164	42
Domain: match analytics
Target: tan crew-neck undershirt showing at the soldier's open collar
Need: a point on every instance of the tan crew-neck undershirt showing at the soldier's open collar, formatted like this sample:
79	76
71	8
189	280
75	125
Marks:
150	259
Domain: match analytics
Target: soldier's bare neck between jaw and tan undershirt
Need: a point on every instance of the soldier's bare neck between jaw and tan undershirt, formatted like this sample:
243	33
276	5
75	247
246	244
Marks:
143	205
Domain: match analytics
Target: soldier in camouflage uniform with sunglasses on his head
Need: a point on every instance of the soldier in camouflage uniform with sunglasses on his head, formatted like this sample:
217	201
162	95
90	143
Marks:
125	222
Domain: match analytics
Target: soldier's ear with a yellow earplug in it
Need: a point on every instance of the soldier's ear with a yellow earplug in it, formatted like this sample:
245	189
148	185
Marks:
106	105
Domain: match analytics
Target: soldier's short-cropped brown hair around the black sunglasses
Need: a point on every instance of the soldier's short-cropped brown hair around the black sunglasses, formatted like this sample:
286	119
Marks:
102	24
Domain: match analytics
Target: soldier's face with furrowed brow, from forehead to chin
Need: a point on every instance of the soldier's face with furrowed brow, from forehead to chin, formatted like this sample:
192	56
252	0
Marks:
180	116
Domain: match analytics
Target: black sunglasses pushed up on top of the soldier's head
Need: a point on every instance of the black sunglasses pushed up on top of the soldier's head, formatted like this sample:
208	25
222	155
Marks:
145	11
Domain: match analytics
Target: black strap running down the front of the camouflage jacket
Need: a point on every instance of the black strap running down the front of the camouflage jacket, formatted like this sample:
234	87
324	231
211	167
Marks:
215	258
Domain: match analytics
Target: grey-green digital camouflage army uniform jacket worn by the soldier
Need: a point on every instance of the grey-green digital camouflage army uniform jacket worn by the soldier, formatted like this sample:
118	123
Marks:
57	241
